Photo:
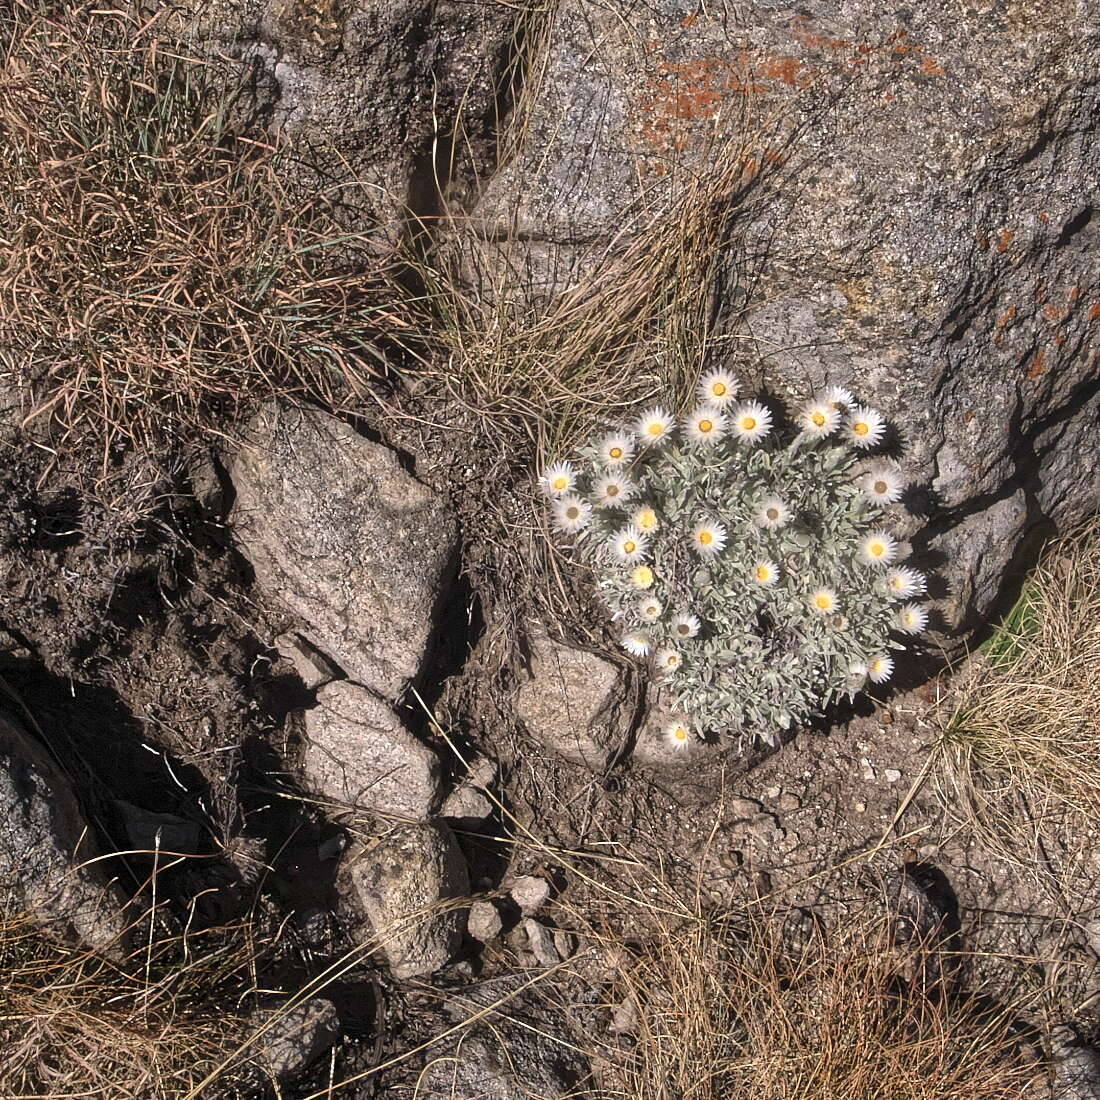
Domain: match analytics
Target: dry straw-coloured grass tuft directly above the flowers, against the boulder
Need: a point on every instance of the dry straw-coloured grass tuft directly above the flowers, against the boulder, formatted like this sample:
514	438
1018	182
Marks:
635	325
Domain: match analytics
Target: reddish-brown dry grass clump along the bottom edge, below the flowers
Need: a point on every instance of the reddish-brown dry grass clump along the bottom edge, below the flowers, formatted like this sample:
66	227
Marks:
738	1014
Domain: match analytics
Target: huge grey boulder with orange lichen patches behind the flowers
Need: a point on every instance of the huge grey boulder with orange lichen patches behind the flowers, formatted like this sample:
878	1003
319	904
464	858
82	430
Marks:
909	222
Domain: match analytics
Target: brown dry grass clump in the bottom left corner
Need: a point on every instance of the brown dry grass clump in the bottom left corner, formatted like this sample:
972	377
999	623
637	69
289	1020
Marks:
74	1025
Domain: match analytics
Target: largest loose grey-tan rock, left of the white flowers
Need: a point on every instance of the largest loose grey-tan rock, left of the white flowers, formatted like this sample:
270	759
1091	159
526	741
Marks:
355	546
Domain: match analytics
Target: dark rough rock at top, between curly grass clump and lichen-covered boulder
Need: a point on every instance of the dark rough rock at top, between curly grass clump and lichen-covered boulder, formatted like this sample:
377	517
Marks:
379	89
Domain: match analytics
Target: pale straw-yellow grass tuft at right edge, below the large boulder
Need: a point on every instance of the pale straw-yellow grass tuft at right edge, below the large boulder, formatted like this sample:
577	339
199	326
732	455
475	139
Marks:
1021	745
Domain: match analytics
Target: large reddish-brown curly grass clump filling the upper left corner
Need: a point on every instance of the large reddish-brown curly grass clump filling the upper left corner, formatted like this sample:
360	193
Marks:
155	272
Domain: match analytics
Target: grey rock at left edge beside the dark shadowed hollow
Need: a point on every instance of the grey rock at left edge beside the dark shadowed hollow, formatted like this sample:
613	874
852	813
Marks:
47	848
